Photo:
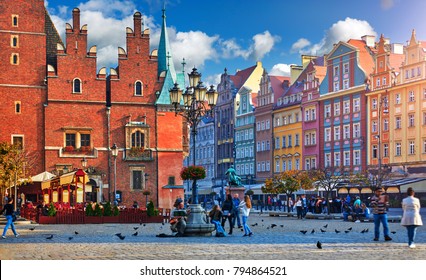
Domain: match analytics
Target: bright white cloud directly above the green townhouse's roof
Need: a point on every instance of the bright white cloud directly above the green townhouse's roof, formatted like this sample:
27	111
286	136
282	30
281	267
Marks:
343	30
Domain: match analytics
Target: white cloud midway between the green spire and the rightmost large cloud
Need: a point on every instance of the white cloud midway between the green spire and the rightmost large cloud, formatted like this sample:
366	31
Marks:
262	44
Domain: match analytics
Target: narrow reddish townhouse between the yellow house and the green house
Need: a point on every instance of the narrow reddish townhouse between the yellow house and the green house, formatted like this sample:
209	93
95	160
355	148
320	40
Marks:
313	75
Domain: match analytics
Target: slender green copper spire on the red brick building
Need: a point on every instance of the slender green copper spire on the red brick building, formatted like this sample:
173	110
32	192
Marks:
165	57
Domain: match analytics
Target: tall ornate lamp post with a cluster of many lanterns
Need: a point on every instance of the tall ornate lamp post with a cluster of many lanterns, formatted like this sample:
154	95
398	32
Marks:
195	106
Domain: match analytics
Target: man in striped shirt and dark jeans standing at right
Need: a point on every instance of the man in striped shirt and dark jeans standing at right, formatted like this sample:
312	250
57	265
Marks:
379	202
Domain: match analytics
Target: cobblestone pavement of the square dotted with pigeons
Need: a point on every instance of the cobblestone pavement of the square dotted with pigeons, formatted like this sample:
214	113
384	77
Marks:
283	241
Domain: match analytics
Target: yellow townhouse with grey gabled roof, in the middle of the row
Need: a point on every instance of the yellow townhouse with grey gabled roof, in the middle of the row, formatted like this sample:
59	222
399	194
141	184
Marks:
287	122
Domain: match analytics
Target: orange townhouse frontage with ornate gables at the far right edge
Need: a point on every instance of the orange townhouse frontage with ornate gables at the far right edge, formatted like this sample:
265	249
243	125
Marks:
397	109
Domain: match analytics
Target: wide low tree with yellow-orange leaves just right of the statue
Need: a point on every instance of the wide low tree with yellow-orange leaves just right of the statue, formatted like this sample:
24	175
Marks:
288	182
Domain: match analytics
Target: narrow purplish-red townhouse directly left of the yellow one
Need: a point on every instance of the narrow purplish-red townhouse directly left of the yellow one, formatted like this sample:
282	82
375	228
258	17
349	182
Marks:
271	88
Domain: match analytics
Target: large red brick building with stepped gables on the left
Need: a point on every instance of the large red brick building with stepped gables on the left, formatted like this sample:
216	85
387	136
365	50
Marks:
64	110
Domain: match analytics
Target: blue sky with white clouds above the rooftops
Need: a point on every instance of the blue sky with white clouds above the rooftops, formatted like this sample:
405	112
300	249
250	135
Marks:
216	34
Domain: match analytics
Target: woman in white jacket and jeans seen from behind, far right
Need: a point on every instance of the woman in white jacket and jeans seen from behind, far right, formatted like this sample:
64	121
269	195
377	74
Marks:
411	218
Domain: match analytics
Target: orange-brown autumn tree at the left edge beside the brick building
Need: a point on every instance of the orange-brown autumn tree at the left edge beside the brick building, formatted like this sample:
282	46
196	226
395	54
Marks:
14	165
